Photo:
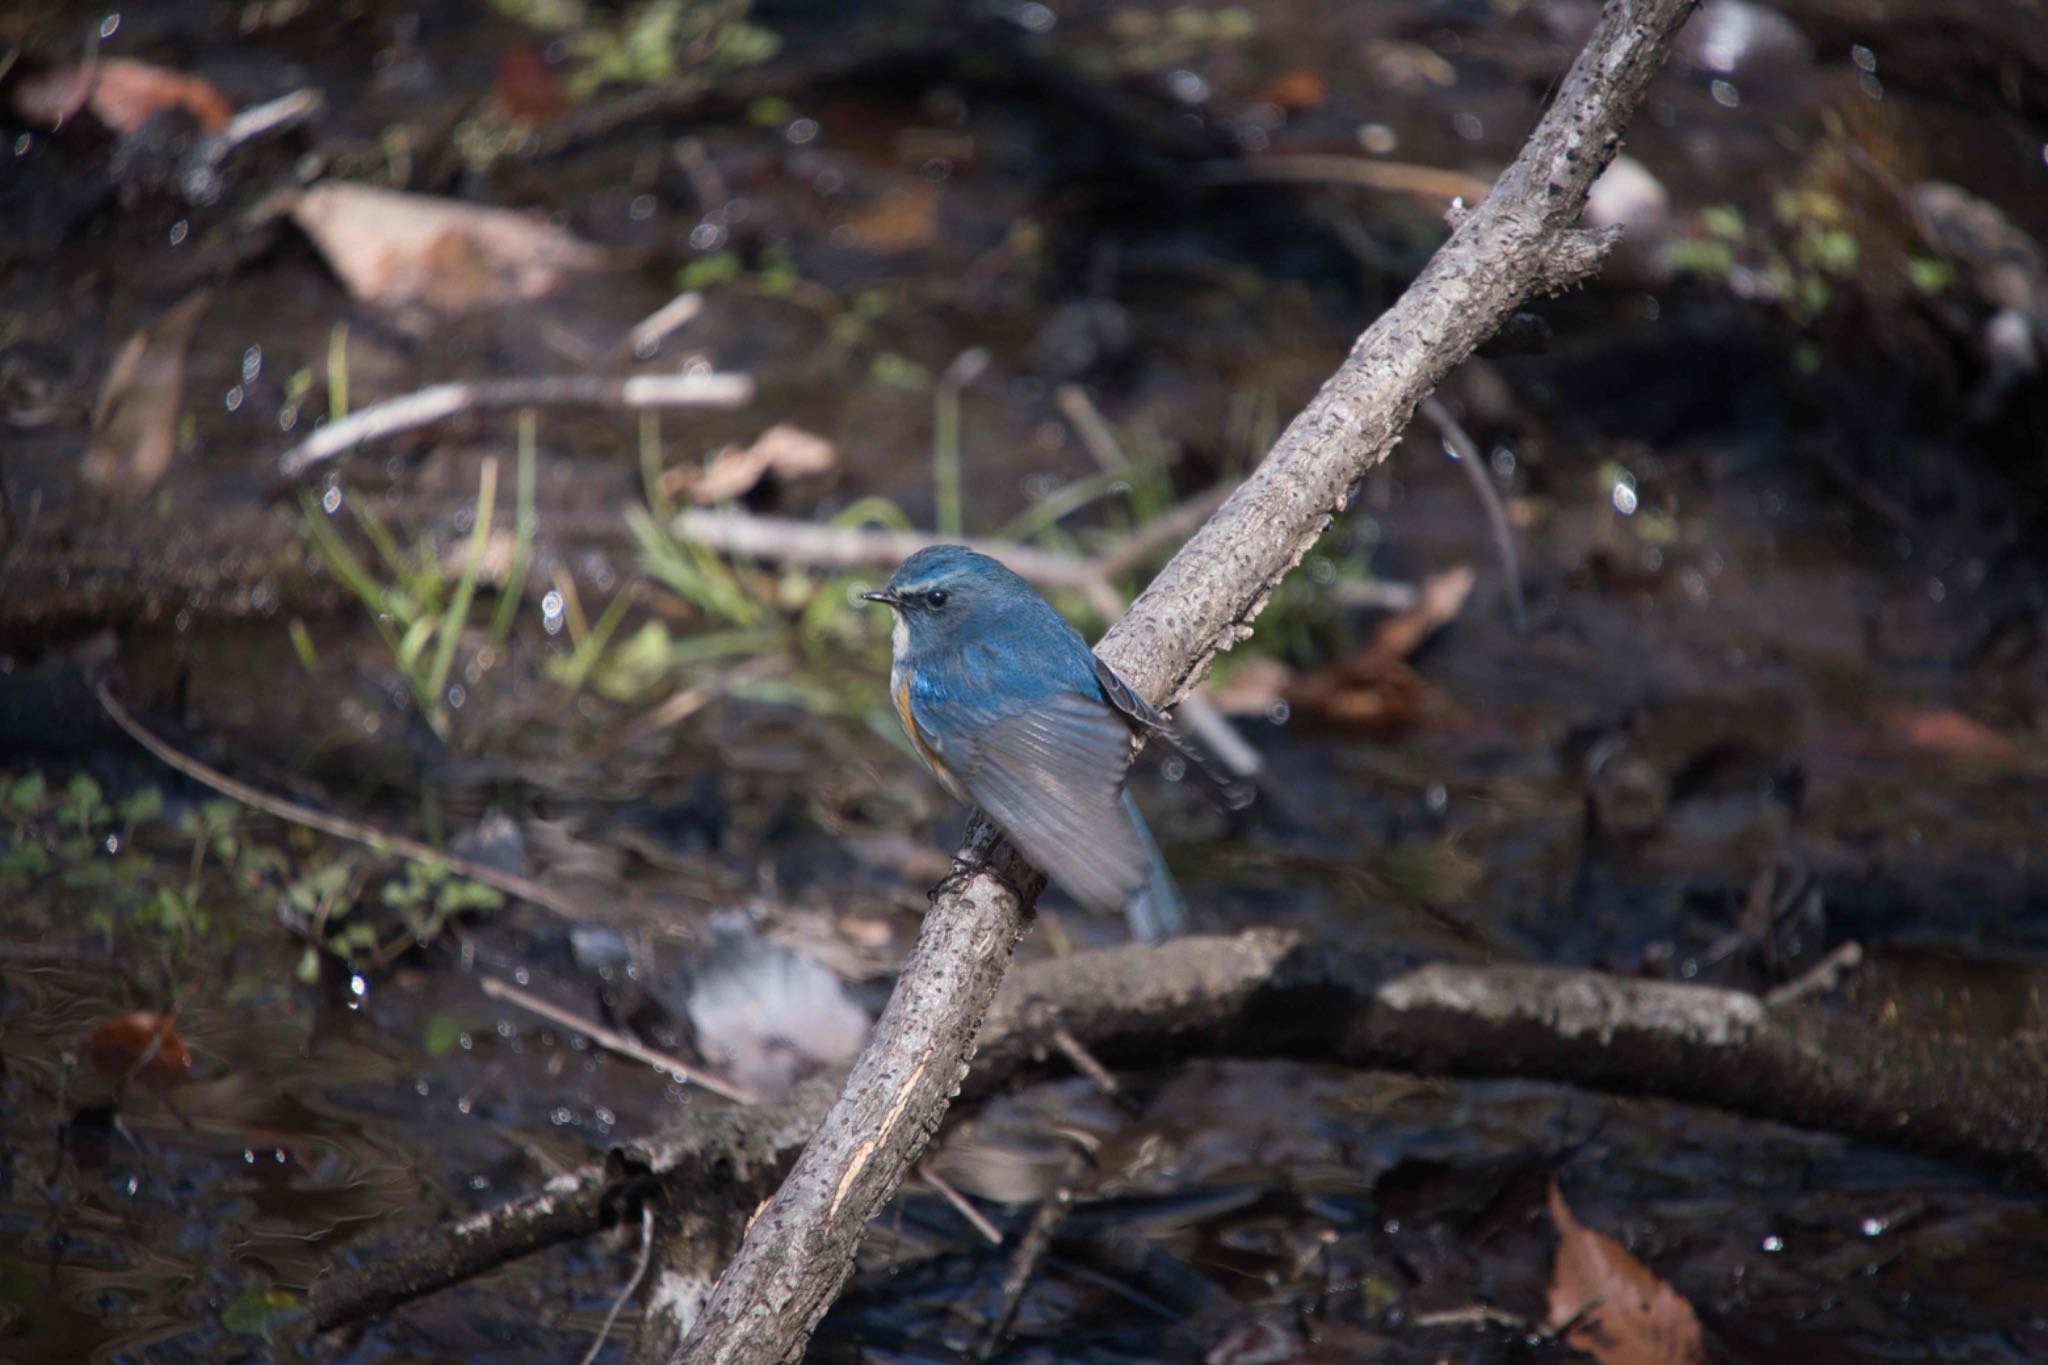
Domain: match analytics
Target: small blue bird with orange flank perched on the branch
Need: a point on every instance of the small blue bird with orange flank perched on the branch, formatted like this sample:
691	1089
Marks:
1013	713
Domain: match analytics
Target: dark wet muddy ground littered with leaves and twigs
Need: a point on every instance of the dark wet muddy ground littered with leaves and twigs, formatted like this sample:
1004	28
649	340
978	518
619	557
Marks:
1783	685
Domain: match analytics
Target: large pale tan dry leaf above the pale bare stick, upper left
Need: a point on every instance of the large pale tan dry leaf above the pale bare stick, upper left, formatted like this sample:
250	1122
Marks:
407	253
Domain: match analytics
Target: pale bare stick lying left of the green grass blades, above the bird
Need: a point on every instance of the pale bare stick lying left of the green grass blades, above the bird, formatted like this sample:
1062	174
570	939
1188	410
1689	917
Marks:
452	400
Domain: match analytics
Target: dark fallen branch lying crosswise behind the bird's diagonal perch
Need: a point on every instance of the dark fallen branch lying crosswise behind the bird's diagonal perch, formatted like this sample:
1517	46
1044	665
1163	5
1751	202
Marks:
1271	994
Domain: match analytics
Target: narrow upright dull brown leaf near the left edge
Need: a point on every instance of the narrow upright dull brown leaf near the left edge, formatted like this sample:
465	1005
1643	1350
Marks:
136	419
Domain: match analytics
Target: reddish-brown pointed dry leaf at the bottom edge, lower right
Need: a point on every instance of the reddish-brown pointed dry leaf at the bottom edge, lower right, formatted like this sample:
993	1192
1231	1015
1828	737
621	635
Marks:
1639	1319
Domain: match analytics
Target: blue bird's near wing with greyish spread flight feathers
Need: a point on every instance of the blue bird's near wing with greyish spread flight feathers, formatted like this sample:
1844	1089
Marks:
1052	777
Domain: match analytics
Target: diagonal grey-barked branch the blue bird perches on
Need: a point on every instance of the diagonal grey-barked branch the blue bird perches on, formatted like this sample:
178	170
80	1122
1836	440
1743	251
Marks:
1521	240
